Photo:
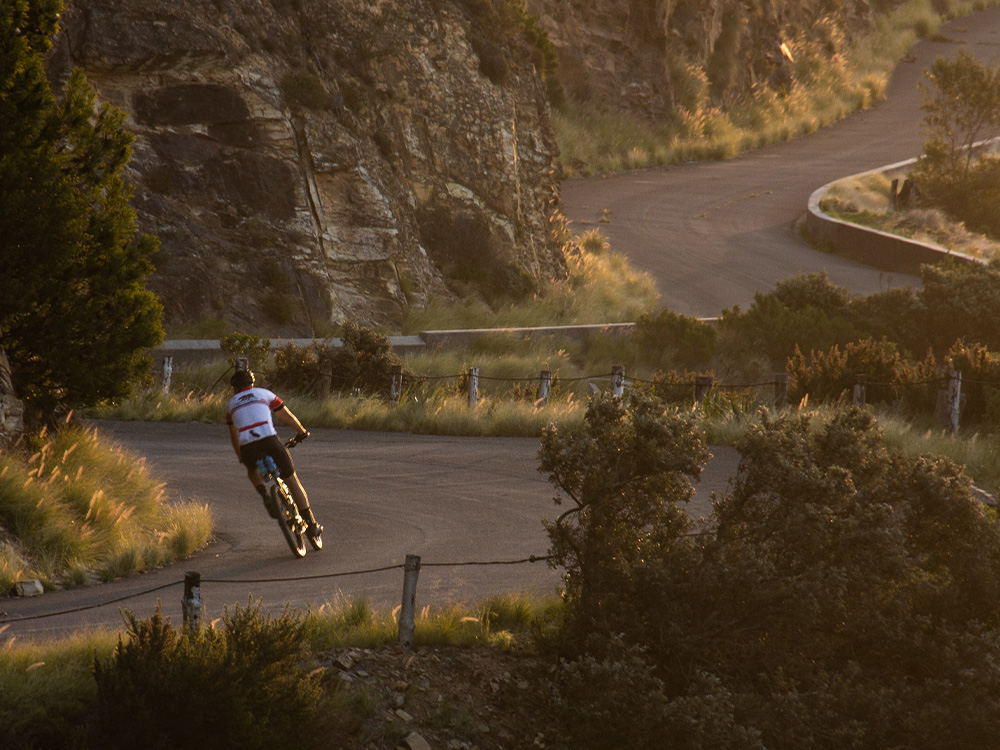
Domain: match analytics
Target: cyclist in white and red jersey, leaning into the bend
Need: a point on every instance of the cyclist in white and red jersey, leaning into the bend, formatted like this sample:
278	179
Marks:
251	429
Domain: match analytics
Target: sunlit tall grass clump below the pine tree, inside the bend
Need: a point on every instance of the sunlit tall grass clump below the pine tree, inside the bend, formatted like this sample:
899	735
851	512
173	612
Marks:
80	508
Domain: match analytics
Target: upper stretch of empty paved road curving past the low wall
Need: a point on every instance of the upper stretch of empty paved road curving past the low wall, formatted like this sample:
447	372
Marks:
712	234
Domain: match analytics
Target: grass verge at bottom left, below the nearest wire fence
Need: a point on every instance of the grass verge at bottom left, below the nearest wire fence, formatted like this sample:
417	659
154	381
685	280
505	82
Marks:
48	693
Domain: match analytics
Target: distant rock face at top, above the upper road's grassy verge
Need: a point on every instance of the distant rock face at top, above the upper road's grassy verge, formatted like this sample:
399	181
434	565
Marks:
650	57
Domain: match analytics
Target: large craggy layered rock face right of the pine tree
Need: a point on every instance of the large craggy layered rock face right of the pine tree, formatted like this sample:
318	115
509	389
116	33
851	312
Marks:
306	161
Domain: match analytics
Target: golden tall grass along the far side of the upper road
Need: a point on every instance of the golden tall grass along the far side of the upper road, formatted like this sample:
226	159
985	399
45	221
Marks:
595	140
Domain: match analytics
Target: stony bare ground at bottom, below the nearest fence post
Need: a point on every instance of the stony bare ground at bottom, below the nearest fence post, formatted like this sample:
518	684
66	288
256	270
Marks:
448	698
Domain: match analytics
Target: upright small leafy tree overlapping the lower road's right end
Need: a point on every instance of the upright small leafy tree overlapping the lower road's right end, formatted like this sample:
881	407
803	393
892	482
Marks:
626	473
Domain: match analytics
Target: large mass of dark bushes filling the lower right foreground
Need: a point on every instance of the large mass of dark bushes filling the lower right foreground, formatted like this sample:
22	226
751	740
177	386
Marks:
845	599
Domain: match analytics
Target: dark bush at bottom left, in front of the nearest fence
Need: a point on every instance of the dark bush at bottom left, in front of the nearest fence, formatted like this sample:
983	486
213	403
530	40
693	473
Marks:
238	686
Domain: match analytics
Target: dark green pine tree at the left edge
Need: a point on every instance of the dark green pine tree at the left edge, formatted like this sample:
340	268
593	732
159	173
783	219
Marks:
75	315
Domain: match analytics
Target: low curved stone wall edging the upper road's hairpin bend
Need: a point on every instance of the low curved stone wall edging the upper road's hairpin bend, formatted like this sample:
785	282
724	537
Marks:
869	246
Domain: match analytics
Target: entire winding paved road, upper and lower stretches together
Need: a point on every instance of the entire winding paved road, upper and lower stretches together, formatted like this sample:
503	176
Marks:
710	234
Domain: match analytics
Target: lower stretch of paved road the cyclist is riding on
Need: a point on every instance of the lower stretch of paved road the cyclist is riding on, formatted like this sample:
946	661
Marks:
381	496
